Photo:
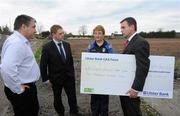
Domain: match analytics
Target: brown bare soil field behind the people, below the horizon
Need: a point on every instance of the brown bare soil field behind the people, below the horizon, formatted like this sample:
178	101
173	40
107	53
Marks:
166	47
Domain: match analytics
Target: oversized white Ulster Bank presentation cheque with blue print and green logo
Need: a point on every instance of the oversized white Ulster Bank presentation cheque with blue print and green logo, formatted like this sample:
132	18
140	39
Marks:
113	74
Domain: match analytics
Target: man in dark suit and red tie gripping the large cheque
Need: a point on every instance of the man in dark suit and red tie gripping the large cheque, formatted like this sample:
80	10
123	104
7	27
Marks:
140	48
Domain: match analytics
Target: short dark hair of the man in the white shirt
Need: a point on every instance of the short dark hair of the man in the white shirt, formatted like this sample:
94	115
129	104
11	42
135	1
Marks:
22	19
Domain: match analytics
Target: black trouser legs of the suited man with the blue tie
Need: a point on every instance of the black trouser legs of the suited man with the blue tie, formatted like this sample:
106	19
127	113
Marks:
70	90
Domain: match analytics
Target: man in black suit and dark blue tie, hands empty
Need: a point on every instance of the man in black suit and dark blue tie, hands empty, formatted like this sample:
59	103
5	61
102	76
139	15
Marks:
57	69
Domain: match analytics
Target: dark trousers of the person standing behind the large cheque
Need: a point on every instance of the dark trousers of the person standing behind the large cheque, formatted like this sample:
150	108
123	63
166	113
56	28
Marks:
99	105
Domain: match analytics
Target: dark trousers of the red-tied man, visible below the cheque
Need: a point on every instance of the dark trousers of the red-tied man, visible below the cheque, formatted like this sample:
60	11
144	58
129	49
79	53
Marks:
131	106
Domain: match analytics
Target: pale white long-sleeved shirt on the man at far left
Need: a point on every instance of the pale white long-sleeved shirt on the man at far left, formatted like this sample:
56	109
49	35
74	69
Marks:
18	65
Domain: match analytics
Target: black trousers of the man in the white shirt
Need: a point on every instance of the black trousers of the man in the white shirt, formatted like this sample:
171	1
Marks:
26	103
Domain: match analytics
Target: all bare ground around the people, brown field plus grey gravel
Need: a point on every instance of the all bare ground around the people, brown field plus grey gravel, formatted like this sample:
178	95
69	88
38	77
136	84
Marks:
45	95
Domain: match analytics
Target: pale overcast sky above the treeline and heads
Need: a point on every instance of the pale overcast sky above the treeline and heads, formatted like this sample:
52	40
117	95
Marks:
151	15
